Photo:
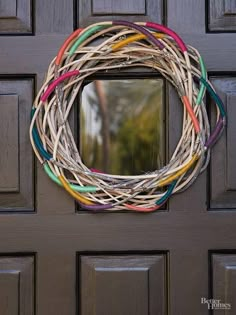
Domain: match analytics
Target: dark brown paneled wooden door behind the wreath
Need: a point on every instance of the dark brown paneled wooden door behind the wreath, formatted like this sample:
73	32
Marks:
58	260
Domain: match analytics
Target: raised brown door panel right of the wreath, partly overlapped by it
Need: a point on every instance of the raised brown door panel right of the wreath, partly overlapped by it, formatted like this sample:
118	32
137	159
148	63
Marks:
222	169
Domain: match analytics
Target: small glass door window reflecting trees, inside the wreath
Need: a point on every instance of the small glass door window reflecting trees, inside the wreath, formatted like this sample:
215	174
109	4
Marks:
122	126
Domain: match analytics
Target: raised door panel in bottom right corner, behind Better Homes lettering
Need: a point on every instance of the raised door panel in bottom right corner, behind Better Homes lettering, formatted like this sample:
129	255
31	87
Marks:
223	281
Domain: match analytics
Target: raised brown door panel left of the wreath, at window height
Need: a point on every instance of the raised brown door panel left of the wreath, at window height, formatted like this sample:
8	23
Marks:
16	158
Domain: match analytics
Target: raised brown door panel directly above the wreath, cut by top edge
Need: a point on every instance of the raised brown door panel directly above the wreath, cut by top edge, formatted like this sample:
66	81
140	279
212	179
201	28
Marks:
93	11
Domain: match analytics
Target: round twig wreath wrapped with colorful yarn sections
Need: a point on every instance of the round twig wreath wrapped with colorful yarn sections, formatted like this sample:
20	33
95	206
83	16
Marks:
121	45
